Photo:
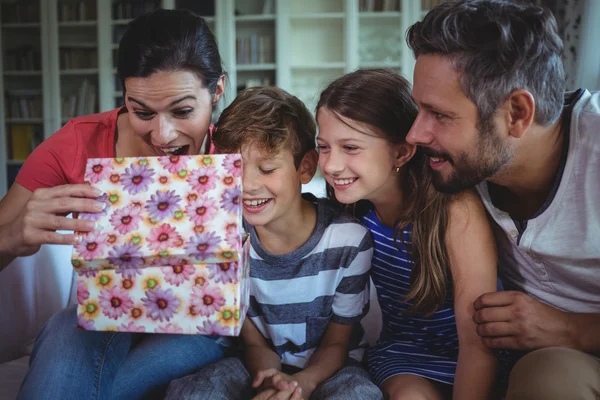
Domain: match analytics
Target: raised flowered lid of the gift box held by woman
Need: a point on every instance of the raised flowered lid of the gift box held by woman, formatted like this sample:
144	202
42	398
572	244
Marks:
163	211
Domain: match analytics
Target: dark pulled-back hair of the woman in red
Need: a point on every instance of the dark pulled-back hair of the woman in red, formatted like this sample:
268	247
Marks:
169	40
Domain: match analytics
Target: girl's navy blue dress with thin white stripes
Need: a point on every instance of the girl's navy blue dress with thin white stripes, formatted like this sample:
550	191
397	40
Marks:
409	344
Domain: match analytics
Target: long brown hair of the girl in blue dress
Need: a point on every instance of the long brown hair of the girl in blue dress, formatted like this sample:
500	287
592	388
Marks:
381	99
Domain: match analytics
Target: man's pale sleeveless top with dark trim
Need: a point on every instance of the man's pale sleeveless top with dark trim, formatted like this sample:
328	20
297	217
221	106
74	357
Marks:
555	256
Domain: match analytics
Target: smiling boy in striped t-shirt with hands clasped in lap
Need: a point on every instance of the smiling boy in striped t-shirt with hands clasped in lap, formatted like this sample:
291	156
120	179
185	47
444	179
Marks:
309	267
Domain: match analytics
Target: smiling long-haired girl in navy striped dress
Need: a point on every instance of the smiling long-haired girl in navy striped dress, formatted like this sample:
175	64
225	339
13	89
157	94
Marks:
434	254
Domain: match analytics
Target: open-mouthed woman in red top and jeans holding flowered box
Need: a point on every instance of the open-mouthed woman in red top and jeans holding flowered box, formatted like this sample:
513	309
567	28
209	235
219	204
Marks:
172	76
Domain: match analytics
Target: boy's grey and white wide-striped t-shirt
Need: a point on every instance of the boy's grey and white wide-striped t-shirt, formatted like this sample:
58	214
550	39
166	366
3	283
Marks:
294	296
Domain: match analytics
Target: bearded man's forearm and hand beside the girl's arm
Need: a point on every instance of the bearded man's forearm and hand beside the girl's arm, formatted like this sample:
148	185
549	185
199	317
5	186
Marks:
515	320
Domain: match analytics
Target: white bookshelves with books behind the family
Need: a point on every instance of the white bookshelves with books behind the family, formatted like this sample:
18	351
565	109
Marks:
55	51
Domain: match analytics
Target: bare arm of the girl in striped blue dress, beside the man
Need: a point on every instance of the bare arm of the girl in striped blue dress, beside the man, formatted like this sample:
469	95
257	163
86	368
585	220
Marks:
473	261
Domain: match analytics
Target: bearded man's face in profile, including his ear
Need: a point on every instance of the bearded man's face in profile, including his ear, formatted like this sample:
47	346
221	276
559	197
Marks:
462	151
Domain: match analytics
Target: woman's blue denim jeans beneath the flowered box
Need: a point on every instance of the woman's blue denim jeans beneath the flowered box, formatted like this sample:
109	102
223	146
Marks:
68	363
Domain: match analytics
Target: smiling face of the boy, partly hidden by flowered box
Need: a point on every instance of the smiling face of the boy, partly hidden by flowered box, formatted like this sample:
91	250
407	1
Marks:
271	184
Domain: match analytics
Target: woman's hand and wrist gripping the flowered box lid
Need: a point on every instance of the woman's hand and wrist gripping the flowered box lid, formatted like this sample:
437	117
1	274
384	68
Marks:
40	214
